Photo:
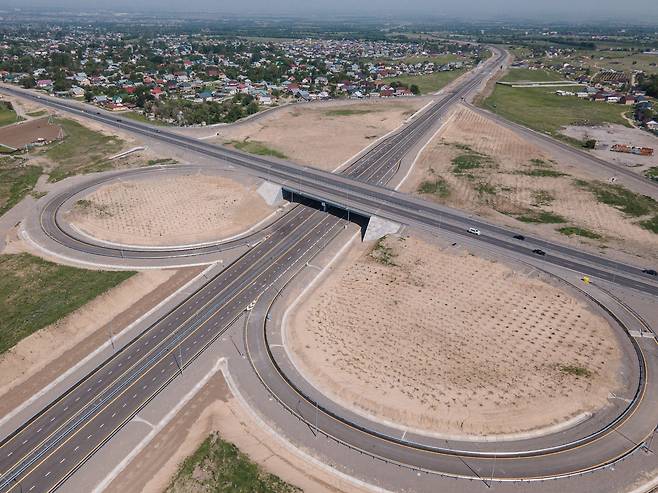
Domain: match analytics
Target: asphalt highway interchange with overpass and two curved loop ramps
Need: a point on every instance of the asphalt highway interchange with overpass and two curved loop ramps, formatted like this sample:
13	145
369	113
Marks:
43	453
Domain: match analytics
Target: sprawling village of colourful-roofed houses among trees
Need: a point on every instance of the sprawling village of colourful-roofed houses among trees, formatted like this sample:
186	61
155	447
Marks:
199	79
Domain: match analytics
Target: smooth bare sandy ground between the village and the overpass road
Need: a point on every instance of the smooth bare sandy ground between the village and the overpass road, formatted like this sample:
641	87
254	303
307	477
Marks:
317	136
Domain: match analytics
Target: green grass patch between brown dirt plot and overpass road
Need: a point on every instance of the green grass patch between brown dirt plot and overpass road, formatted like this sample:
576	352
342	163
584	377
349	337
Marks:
82	150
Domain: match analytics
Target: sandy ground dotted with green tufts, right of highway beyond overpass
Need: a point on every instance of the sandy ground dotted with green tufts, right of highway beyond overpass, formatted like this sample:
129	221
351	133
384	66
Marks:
514	191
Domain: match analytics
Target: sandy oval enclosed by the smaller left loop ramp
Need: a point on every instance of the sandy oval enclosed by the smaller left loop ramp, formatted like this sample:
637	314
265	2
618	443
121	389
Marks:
169	210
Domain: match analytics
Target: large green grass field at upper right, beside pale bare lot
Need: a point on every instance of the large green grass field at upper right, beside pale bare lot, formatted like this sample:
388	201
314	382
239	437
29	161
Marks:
541	109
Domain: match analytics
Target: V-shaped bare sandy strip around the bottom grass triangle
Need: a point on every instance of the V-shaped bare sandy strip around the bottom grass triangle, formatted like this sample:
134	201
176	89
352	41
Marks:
214	409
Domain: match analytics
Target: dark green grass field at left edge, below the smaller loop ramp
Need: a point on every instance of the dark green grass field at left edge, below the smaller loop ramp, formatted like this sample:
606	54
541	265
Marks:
35	293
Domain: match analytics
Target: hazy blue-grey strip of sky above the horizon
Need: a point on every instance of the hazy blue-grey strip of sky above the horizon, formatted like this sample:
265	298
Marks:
555	10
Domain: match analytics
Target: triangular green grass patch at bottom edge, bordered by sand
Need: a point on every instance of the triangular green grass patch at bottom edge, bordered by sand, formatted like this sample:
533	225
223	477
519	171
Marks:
220	467
